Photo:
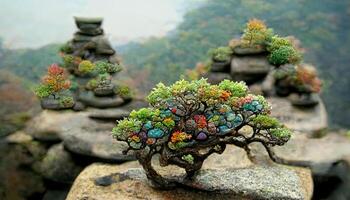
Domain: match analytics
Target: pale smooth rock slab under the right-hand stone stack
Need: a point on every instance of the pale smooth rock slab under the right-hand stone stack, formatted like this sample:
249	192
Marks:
307	120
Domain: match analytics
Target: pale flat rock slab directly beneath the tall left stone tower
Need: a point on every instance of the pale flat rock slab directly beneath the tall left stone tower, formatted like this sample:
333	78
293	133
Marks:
80	134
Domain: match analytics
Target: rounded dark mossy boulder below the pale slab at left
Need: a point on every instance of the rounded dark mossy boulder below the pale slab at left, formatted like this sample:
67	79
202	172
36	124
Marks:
58	165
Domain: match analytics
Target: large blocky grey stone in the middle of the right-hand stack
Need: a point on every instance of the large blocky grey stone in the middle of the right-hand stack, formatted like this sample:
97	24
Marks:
250	69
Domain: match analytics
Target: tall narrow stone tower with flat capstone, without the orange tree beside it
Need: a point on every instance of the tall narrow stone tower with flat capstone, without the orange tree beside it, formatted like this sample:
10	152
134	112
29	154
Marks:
93	64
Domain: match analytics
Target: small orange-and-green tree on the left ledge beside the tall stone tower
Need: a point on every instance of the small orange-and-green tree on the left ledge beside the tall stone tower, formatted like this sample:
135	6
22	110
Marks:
55	85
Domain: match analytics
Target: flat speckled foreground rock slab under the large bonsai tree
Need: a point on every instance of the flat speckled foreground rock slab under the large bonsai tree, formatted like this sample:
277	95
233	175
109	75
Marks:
128	181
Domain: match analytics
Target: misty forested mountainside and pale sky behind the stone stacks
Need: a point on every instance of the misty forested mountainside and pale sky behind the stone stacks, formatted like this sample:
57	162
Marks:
163	55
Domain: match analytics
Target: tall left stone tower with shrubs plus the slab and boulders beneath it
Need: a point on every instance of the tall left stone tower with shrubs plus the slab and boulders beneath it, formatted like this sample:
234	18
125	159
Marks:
58	143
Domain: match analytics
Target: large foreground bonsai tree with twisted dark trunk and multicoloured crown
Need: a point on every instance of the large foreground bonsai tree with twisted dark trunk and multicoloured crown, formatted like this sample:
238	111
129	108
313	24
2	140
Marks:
189	121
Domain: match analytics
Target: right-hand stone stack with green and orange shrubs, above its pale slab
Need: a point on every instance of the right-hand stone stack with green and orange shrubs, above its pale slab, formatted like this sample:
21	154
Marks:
259	58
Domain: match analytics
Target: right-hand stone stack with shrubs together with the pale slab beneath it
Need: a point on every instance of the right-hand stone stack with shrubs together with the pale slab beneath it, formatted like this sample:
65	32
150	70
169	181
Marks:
272	66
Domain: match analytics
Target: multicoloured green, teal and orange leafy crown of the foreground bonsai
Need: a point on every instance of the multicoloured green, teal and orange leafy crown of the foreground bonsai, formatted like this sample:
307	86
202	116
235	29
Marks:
186	113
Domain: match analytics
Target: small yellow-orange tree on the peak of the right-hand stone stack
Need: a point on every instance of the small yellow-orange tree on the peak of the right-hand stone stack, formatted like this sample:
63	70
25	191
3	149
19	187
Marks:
256	34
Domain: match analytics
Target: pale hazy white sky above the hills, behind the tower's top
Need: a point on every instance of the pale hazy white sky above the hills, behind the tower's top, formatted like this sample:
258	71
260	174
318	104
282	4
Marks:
33	23
